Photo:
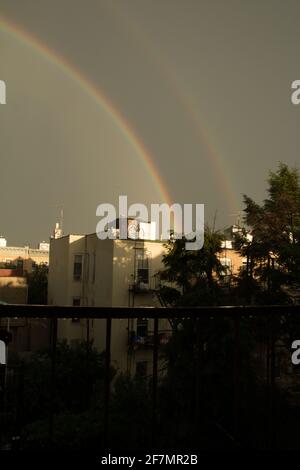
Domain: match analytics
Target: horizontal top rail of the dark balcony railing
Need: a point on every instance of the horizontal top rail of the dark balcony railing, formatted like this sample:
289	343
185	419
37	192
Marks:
50	311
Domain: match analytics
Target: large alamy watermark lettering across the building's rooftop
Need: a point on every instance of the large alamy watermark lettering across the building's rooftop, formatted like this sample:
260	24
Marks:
188	222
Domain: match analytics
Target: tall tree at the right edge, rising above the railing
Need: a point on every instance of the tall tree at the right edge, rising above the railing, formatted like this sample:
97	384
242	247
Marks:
273	255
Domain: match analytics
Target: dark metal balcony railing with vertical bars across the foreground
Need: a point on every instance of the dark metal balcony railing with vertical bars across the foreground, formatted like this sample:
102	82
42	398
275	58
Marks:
272	316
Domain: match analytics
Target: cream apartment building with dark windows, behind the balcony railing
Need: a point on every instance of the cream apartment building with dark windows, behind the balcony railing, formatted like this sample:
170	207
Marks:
86	271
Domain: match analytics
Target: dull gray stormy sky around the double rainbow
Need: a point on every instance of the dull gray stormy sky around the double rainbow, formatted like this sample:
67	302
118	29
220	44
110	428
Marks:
205	85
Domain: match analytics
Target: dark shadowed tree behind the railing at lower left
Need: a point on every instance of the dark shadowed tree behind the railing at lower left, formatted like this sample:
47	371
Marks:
77	398
